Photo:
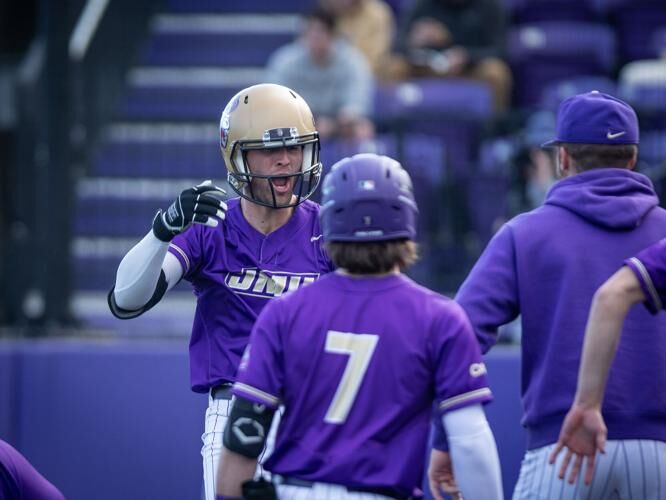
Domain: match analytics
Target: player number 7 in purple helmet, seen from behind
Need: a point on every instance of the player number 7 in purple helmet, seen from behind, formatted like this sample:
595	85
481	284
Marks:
357	359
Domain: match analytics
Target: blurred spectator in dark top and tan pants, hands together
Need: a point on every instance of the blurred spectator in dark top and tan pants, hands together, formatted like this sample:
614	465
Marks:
456	38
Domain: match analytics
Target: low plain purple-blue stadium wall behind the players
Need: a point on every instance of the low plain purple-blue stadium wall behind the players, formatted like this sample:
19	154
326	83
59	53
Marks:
116	419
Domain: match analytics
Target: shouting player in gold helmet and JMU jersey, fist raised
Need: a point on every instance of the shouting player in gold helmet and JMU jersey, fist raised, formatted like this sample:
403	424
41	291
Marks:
238	254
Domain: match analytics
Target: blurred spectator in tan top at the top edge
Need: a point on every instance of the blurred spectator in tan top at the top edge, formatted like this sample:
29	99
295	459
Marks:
369	25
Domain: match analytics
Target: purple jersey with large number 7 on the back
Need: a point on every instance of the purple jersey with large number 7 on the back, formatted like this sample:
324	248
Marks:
357	363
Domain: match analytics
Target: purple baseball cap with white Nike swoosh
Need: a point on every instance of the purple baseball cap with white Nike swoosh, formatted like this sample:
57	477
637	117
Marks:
595	118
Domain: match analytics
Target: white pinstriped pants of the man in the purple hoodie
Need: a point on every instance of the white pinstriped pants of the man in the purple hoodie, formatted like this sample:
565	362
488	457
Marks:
629	470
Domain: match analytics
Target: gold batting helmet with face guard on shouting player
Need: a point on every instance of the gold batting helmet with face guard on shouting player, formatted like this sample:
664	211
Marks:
269	116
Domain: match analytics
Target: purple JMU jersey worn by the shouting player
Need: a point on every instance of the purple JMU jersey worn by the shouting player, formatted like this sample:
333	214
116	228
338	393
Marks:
235	270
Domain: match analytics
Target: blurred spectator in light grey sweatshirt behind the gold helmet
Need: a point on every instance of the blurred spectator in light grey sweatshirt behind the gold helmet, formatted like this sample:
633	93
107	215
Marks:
331	75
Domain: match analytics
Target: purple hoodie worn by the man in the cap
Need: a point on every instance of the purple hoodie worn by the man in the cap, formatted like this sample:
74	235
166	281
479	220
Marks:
545	265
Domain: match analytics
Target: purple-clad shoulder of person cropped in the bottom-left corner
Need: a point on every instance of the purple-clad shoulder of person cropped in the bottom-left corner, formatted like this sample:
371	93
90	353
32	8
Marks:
20	480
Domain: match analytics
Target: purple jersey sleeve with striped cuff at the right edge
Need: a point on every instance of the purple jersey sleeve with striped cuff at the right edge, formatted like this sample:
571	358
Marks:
649	266
